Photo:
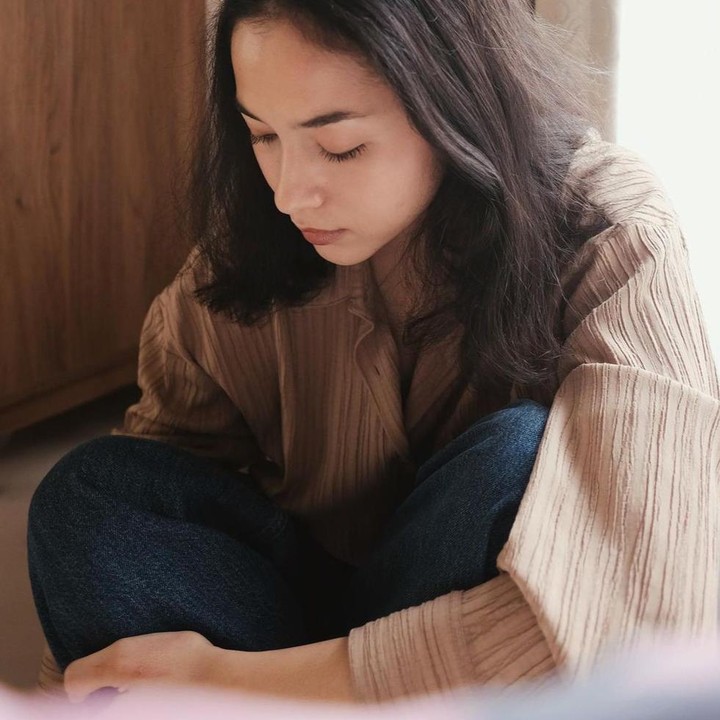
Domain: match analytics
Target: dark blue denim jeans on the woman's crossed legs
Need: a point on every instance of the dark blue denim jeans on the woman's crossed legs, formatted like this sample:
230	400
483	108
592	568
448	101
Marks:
129	536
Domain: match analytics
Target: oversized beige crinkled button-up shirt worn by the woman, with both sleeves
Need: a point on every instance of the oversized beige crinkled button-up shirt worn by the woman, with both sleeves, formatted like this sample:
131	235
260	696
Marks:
617	534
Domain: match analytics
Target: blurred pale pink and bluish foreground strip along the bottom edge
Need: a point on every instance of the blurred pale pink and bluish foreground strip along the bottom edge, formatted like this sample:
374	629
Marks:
664	679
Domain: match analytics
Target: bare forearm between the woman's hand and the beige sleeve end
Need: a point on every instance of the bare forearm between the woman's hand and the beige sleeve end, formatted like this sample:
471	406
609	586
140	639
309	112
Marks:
319	671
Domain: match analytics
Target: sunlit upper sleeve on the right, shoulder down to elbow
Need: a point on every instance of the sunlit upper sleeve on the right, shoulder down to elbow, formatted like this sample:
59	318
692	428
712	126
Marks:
633	490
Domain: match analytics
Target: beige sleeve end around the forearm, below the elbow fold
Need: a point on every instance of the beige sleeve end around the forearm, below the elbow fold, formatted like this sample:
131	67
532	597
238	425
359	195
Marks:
486	635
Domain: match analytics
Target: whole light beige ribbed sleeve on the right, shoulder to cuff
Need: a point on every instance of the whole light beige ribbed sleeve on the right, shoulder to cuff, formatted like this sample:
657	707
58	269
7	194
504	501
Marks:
617	534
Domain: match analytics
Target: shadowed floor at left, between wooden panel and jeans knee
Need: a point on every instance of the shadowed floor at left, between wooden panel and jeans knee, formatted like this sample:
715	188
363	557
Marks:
25	457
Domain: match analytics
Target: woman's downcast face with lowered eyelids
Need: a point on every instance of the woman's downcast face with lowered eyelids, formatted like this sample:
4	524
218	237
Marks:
389	173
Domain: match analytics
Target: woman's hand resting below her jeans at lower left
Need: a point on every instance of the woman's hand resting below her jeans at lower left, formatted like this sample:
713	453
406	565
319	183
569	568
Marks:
169	657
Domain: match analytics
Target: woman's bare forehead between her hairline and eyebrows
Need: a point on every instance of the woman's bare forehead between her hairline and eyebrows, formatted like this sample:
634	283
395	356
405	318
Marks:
274	60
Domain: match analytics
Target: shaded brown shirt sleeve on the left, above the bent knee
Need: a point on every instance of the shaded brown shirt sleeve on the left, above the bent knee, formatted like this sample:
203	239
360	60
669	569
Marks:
181	403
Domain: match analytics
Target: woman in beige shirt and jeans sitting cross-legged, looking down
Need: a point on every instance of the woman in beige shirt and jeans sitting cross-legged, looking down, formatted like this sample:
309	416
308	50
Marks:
468	436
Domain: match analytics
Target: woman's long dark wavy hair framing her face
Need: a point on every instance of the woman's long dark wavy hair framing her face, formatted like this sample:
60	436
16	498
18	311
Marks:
486	85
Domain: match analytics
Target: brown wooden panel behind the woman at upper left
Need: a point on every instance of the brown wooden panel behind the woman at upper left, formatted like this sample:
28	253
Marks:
99	99
